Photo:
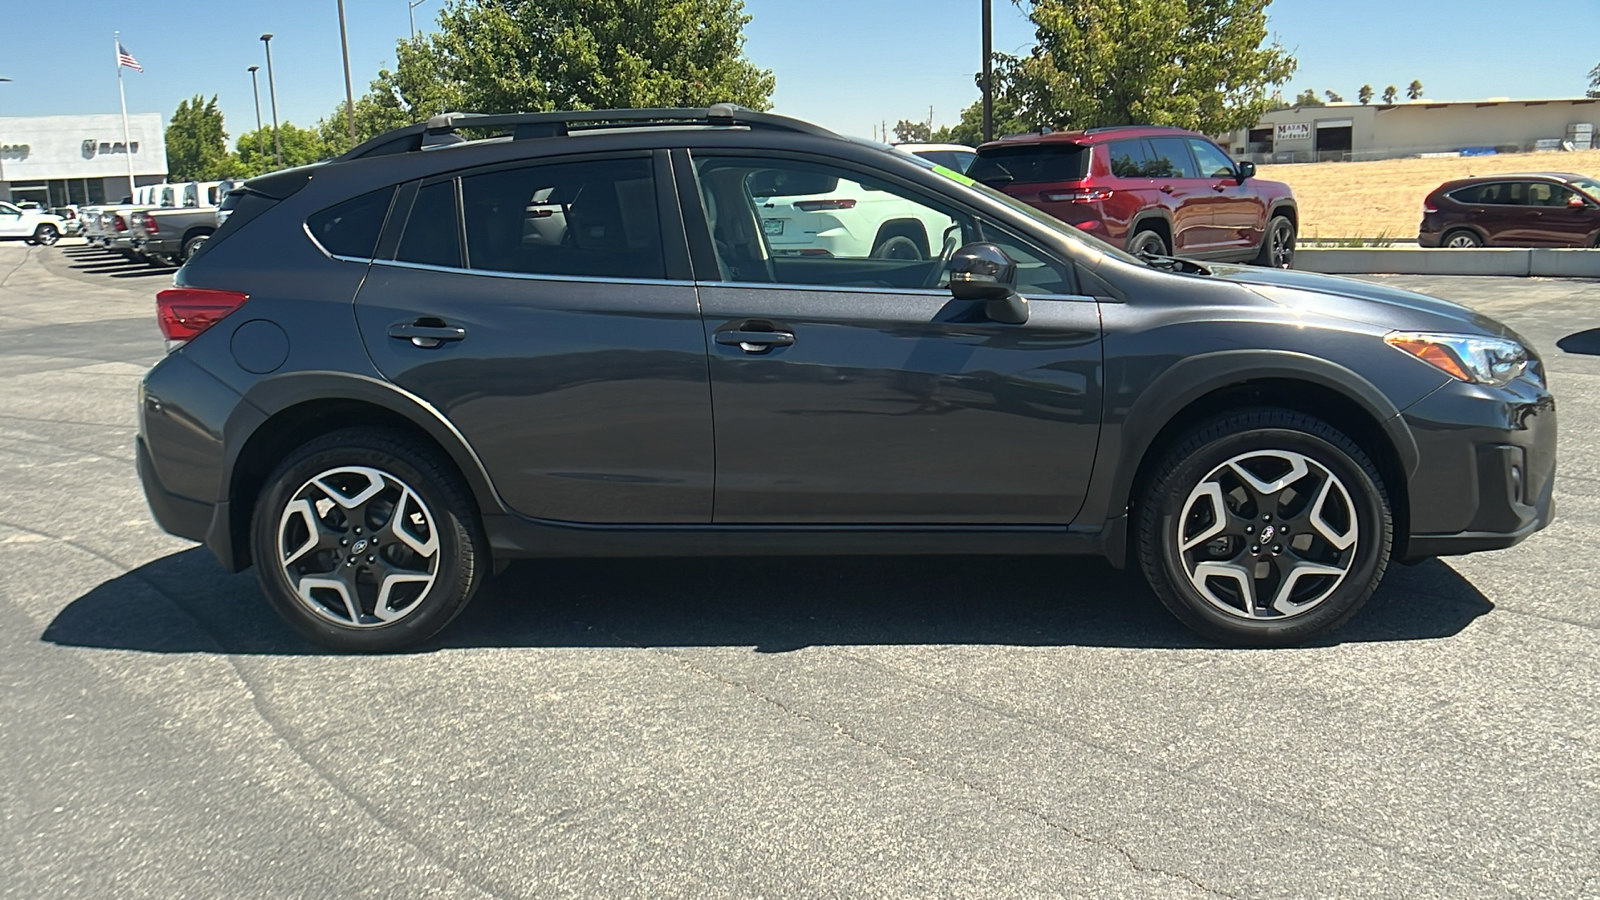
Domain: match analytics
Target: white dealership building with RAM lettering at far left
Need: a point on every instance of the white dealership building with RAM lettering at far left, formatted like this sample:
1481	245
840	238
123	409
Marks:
79	159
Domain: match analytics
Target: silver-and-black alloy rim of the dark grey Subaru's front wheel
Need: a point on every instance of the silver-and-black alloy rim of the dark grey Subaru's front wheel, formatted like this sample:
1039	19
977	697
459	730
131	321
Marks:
1268	536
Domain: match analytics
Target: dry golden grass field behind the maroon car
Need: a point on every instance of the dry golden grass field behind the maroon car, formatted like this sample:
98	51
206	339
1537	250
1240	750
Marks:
1385	199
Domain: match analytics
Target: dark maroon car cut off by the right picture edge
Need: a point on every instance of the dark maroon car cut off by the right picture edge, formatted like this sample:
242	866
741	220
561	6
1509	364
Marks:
1543	209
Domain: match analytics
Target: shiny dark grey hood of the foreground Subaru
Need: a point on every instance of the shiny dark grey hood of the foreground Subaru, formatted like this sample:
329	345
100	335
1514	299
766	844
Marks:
1361	302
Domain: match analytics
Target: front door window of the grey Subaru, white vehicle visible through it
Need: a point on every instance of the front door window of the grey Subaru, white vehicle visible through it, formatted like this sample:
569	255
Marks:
785	222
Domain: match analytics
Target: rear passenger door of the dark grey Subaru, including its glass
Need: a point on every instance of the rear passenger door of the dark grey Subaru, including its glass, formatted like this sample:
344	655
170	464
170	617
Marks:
546	310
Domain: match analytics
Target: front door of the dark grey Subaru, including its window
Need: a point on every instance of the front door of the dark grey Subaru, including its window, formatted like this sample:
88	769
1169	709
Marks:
849	387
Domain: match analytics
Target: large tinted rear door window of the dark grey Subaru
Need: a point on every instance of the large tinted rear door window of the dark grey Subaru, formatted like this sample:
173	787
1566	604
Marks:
593	219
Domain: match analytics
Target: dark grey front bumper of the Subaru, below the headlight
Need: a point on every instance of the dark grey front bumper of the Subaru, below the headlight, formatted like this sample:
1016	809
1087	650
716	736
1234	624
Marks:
1487	467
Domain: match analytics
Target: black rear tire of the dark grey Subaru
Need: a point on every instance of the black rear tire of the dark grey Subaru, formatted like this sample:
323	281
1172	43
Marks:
457	566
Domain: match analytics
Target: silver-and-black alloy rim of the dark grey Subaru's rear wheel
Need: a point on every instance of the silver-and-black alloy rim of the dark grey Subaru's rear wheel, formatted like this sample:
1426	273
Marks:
359	547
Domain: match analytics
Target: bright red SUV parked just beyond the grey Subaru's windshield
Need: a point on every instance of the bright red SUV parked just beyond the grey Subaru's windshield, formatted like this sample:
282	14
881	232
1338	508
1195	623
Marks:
1150	190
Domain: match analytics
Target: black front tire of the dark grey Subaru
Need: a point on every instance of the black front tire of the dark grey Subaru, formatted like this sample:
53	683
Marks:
1170	512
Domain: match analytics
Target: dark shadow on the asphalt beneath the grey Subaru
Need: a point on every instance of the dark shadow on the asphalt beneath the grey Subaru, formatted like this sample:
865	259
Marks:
185	603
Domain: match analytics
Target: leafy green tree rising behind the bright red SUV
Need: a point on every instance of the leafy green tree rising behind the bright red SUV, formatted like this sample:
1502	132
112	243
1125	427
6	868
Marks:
1202	65
